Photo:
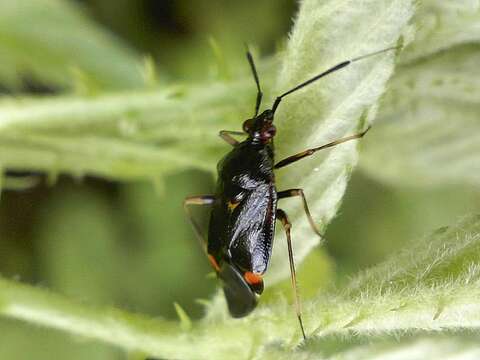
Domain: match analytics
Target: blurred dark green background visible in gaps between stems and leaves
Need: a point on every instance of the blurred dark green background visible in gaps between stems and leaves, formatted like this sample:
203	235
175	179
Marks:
129	245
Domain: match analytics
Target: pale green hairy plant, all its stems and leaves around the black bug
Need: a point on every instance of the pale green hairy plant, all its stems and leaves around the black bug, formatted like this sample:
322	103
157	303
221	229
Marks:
428	291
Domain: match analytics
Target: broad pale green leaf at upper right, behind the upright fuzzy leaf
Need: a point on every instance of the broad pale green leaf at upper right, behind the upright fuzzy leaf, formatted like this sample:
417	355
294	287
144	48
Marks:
426	135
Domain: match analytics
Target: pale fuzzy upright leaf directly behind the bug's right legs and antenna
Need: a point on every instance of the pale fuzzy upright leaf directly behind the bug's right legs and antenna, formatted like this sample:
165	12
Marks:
341	105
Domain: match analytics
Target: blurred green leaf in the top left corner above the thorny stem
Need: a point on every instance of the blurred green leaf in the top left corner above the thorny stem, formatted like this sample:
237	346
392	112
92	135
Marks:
52	39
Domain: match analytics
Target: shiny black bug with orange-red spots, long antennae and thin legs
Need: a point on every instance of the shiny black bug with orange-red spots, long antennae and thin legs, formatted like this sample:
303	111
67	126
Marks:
244	207
